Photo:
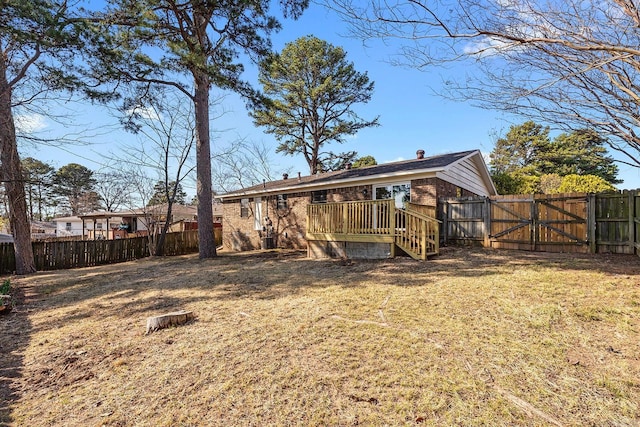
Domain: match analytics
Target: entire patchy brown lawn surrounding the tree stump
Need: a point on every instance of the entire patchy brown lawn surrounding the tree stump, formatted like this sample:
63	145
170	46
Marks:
471	337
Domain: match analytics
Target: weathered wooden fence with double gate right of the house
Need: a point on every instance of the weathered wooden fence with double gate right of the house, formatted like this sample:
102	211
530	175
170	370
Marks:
571	222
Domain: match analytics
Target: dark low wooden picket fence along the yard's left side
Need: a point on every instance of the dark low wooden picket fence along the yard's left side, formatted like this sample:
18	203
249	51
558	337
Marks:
52	255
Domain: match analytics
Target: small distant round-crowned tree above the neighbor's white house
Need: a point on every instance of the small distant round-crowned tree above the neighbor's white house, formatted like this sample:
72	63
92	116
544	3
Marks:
74	184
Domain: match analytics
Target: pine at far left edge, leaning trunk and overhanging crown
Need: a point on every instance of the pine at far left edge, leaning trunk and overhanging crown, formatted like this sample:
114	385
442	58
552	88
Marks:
39	44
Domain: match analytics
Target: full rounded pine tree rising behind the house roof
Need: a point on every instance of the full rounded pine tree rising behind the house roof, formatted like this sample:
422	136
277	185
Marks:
310	91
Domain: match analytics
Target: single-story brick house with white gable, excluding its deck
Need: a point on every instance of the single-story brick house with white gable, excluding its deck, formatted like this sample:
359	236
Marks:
275	213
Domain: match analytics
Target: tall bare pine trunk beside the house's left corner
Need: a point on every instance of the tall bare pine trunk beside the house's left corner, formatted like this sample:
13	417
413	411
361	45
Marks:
207	244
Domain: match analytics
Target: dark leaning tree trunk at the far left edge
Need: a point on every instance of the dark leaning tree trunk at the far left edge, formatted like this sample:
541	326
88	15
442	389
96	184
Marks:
11	174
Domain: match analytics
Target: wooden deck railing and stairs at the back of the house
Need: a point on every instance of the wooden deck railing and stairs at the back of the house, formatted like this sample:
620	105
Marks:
374	221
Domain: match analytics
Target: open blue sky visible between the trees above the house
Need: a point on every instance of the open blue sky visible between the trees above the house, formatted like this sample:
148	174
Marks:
412	117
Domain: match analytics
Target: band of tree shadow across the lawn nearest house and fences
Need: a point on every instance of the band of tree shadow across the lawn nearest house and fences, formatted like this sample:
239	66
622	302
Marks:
276	273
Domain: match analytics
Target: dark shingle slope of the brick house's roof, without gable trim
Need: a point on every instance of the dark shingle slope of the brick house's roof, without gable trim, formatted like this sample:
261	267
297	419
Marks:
433	162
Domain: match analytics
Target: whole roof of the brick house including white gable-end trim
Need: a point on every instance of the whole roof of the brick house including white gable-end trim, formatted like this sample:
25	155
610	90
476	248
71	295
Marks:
402	169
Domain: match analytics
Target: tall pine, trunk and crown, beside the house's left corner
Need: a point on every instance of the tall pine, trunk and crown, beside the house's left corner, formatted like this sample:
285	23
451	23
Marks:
193	45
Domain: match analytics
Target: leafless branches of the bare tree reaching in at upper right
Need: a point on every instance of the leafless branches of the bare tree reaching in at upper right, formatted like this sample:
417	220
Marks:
572	63
